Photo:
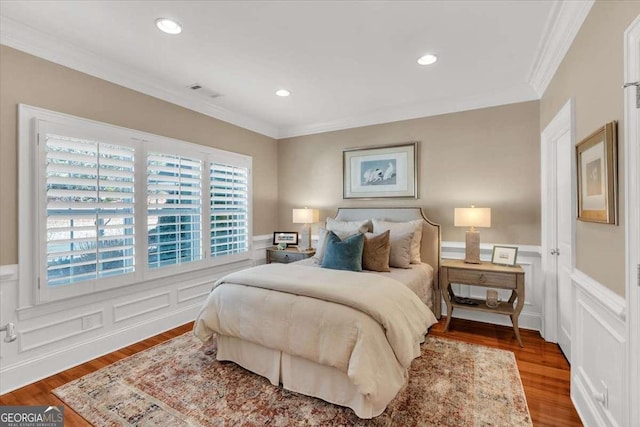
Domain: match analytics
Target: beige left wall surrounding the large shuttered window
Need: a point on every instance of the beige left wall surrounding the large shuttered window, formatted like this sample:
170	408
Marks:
30	80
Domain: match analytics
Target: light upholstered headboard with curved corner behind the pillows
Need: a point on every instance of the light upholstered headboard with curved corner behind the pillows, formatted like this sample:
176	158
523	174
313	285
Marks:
431	237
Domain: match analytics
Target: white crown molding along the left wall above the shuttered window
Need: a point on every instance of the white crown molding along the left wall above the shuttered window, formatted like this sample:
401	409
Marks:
37	43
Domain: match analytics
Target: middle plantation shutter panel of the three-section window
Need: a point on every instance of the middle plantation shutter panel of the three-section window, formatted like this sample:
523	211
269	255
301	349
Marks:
174	203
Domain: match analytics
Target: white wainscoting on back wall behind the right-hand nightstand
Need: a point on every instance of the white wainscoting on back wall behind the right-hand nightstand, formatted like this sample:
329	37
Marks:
529	257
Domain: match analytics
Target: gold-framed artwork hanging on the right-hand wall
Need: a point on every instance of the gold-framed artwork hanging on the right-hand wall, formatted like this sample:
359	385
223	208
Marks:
598	176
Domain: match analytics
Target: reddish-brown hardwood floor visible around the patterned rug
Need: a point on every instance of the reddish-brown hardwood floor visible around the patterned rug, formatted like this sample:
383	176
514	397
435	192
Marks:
543	369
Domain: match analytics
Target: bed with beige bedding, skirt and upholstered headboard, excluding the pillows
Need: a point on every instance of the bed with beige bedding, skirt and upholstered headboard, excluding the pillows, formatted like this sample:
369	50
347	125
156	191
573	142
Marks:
325	333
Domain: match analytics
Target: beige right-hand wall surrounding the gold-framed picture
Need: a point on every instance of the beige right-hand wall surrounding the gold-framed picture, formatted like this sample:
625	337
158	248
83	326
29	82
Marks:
592	72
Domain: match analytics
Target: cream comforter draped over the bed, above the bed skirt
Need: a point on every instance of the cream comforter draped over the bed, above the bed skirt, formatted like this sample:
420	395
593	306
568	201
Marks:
362	324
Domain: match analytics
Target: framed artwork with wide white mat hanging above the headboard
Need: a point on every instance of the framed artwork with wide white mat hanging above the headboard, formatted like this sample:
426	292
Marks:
380	171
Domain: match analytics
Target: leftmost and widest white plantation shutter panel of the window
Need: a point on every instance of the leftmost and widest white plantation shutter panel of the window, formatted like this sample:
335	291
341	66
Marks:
89	209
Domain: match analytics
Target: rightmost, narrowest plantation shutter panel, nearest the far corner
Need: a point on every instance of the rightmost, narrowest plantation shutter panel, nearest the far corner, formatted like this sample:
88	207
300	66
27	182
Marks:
229	209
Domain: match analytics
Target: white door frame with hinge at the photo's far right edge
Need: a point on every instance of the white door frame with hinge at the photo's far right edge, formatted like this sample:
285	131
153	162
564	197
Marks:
632	212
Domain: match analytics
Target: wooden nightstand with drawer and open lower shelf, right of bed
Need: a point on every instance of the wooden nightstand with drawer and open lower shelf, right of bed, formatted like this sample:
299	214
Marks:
485	275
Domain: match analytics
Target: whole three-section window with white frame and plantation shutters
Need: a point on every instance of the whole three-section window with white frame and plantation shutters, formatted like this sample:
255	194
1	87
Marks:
115	207
